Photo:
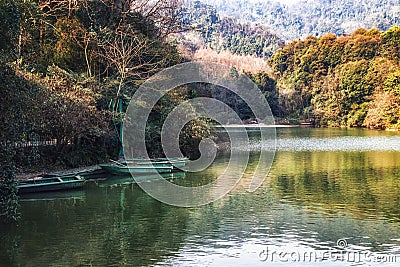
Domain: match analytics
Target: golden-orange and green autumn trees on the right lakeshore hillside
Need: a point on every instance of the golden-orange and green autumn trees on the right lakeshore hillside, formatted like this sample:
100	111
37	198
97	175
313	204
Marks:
351	80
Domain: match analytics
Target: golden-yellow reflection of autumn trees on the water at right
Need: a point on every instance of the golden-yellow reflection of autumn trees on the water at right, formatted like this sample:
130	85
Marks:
363	183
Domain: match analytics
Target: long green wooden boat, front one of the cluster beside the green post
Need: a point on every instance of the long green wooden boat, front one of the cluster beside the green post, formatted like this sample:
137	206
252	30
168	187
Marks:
118	168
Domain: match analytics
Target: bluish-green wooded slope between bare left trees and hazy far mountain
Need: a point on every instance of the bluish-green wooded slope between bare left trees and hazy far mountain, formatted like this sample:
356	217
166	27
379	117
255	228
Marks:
205	28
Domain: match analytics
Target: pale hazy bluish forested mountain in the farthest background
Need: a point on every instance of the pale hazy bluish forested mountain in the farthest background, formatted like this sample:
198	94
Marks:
312	17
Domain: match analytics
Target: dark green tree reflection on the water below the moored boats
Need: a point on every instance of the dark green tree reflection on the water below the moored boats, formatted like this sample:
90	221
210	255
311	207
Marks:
110	227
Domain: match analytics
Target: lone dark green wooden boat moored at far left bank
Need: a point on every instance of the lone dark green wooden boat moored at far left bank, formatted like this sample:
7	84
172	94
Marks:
55	183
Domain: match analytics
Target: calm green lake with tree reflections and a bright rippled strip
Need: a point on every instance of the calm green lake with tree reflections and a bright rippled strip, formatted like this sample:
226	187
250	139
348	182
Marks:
332	198
